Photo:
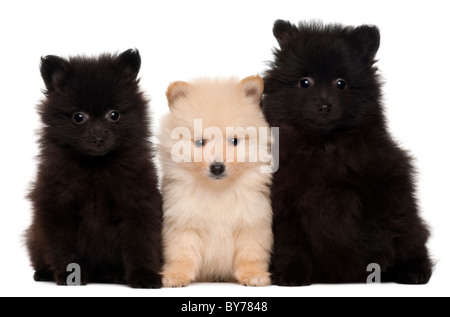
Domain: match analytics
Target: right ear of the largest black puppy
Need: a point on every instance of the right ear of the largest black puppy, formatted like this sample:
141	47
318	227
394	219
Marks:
365	40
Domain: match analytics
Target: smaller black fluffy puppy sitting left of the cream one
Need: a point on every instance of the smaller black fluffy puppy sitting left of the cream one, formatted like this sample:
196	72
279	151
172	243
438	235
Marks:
95	199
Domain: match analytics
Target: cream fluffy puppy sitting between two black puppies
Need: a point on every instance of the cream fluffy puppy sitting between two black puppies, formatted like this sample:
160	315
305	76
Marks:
216	226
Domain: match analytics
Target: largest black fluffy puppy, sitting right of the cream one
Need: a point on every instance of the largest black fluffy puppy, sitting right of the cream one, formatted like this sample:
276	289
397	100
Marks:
343	196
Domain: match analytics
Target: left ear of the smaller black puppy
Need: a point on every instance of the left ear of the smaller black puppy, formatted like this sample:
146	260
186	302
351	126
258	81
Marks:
53	71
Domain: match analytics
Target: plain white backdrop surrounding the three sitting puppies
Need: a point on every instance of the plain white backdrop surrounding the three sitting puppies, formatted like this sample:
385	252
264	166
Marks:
180	40
